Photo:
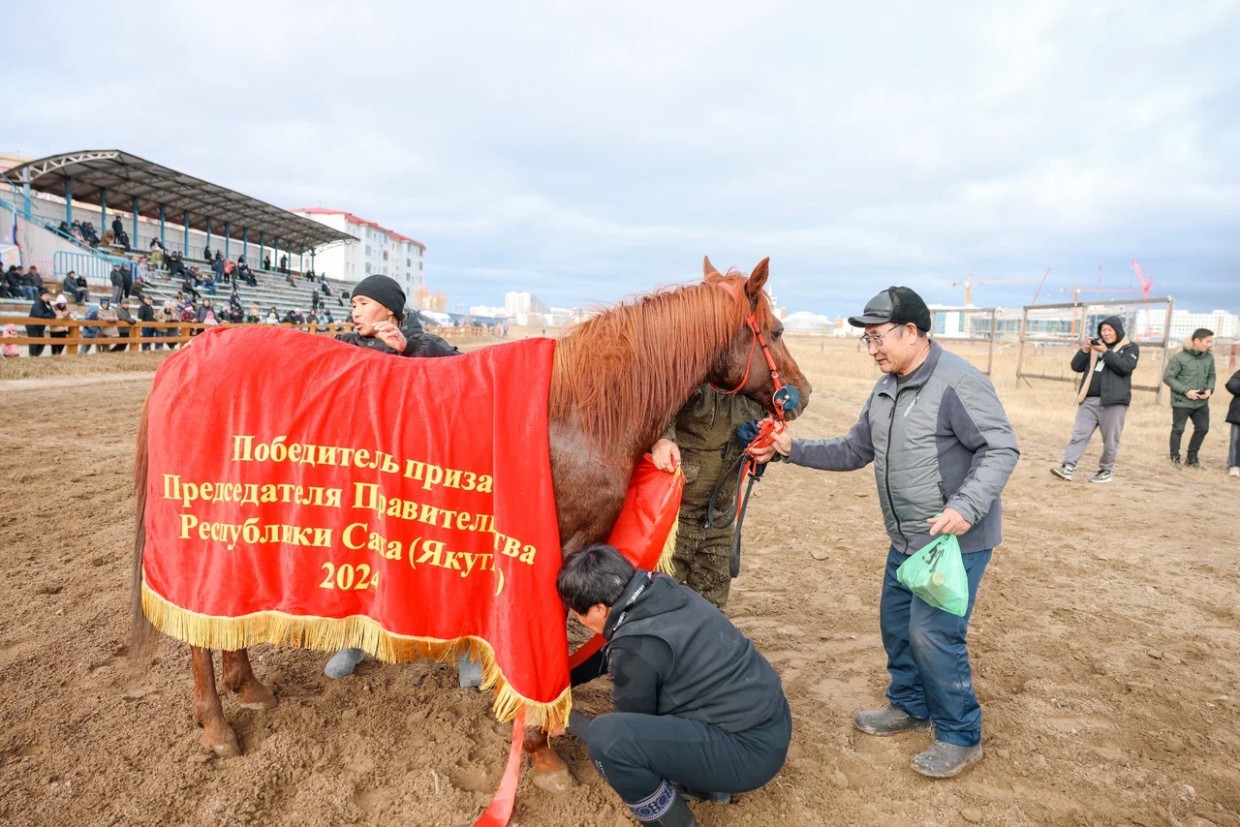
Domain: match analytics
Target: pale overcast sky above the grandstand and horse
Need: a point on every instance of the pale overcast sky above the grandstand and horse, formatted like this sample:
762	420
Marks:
588	152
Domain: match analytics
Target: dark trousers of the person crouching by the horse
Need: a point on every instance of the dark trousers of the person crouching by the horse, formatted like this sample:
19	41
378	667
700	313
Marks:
639	754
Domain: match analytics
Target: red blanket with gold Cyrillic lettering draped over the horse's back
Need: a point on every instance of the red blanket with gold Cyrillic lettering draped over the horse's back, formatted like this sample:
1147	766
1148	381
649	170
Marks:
309	493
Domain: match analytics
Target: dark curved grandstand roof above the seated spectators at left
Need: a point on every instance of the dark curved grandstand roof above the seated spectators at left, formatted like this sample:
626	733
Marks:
127	177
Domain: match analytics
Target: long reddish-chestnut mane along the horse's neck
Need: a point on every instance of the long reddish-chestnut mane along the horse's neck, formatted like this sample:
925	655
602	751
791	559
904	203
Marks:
639	360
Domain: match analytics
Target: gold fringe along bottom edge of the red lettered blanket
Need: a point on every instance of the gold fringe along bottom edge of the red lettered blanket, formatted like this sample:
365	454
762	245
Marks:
333	634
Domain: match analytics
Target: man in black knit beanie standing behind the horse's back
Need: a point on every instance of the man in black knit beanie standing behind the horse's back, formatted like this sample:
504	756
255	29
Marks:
379	309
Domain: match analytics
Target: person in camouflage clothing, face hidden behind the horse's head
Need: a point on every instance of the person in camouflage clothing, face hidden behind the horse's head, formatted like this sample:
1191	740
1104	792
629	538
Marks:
702	441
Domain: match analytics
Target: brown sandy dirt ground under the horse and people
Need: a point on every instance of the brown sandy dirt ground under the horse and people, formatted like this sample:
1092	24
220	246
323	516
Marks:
1105	648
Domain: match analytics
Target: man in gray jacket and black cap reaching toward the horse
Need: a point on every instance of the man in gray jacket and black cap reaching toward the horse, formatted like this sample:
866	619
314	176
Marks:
943	451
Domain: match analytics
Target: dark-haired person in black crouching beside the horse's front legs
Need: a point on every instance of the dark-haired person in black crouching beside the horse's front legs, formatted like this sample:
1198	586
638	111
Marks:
697	709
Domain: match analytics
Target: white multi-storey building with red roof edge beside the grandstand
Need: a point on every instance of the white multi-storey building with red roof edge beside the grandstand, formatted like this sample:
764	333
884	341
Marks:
379	250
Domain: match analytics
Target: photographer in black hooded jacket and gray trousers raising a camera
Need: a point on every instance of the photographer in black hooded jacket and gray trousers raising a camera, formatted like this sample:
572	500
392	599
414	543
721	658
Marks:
1107	365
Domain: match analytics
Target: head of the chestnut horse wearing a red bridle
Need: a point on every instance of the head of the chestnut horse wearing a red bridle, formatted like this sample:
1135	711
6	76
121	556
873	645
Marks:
745	368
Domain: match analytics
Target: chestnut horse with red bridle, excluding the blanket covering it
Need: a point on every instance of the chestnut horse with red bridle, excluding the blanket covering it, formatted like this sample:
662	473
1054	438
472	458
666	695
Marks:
617	383
